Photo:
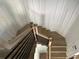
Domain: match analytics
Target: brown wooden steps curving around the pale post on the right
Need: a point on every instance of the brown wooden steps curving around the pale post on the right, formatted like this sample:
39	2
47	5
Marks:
58	47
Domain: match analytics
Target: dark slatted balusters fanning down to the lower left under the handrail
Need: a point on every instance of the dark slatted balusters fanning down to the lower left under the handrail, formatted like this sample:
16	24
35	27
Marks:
23	48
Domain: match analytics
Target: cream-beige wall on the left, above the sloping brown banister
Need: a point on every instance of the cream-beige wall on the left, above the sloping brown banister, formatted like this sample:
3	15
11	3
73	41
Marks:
12	18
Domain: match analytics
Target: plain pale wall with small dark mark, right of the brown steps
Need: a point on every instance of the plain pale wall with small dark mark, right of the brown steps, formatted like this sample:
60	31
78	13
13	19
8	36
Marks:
72	39
